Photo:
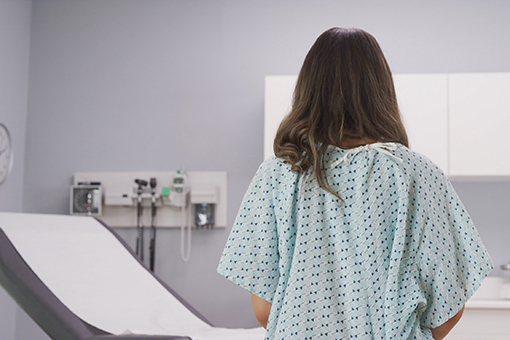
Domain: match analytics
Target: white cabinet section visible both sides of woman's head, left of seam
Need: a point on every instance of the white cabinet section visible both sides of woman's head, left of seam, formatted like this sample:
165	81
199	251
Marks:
422	100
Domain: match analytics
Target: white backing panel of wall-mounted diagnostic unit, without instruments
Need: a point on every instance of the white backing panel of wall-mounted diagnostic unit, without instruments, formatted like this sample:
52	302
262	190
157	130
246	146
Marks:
119	207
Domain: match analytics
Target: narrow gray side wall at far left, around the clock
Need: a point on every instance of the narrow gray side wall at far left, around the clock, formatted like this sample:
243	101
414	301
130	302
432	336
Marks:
14	52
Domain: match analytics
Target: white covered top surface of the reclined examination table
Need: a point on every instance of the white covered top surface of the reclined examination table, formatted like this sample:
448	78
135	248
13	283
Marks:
99	280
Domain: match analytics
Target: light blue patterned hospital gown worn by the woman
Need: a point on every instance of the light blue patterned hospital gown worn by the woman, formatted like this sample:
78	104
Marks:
398	253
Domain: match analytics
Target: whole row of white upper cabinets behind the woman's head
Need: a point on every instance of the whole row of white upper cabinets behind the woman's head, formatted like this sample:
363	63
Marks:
459	121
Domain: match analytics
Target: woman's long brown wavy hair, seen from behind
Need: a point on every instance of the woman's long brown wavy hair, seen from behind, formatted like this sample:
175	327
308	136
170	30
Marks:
345	87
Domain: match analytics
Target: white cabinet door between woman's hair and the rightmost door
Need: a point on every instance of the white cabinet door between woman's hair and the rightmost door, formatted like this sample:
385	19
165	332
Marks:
422	99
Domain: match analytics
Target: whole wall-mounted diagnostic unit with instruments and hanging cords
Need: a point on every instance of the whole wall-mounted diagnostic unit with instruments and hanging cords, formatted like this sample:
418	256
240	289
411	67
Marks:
177	199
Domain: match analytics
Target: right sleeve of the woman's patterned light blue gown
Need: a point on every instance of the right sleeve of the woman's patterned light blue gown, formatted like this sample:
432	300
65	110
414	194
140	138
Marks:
453	260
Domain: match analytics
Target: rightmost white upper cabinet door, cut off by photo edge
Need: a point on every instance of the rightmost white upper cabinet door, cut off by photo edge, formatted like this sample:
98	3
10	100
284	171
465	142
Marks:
479	106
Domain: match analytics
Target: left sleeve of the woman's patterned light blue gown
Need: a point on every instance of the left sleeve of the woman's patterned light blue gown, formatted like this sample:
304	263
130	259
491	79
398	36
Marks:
250	257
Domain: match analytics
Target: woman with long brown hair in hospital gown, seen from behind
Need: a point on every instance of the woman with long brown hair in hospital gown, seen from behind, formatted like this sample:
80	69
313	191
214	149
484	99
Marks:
346	233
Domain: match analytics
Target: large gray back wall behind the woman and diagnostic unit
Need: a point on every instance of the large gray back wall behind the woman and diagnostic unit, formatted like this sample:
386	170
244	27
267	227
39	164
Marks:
128	85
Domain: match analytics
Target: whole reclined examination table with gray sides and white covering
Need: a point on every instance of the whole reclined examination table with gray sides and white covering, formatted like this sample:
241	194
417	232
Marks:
77	279
